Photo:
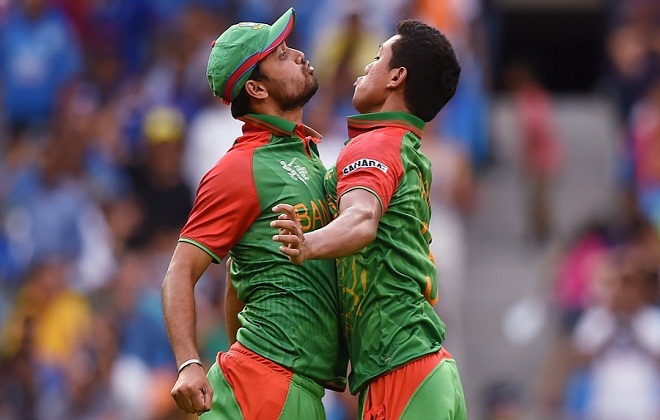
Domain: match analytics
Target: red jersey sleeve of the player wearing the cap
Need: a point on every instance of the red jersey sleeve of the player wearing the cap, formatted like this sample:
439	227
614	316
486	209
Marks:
225	206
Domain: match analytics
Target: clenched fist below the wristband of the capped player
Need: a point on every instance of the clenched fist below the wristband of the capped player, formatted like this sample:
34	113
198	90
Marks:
192	390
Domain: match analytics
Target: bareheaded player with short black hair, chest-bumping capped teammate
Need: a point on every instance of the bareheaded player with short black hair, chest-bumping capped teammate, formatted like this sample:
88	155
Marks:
380	189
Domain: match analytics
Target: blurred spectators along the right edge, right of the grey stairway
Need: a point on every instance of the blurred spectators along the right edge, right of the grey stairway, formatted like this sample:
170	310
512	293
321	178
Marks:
603	362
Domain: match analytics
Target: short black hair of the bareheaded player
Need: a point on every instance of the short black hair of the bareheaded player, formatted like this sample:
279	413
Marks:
432	66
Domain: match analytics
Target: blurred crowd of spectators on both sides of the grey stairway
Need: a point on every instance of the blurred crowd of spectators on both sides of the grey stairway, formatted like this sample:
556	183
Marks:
108	124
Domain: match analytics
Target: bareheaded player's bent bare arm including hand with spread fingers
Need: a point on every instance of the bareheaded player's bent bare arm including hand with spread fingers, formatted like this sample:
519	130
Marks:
354	228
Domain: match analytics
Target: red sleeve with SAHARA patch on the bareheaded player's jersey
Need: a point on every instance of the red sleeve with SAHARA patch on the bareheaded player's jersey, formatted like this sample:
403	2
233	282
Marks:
371	161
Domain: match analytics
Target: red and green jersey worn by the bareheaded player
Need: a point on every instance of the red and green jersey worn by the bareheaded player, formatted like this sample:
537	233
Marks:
389	287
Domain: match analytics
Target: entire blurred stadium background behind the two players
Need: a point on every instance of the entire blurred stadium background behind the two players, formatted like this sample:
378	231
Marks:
546	195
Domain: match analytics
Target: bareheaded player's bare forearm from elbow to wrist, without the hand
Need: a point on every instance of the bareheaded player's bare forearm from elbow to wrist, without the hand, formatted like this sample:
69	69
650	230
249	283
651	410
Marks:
351	231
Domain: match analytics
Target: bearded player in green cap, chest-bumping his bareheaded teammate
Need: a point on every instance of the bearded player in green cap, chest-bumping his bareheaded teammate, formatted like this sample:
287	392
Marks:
289	344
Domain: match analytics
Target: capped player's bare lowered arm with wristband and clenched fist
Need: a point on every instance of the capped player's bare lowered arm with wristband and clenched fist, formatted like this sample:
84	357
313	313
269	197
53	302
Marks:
191	391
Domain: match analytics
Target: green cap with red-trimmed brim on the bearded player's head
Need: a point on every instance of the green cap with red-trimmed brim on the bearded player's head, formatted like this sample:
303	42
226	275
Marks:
239	49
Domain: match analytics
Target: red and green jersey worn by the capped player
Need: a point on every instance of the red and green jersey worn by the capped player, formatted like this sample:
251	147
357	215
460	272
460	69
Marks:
291	313
